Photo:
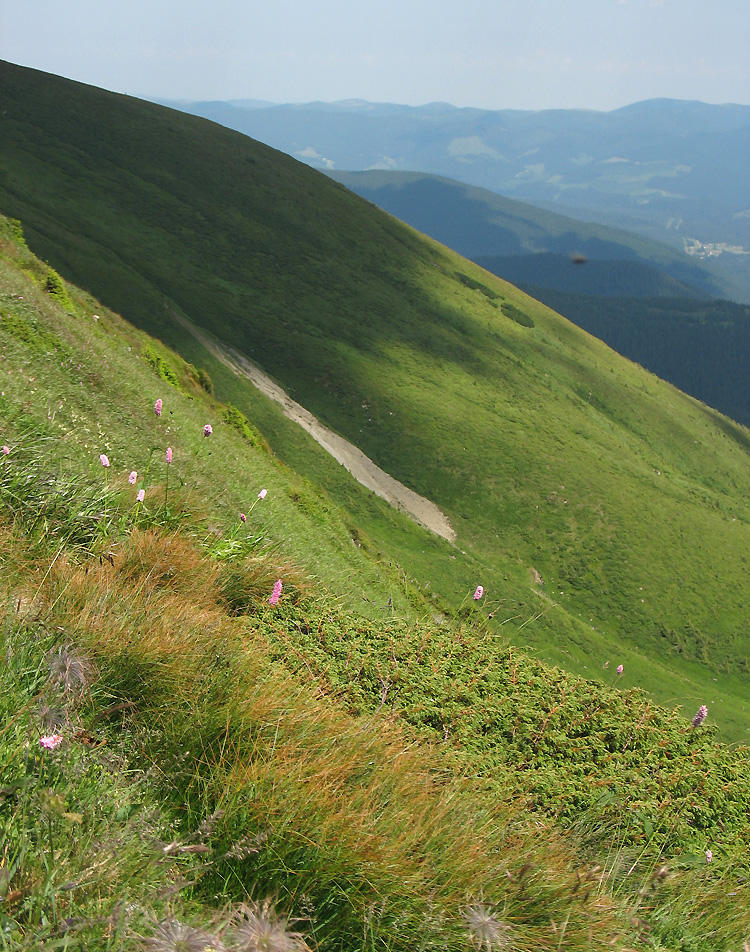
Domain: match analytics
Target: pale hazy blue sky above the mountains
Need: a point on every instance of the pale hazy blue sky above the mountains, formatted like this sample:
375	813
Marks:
520	54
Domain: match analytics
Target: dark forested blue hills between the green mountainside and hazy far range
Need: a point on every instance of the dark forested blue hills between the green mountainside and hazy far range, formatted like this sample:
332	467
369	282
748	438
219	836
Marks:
702	349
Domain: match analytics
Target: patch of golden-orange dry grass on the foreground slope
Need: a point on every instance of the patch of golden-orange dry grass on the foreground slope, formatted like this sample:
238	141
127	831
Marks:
312	801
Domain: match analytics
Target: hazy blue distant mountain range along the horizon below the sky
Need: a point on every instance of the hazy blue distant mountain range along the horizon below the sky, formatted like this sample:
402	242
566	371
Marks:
669	169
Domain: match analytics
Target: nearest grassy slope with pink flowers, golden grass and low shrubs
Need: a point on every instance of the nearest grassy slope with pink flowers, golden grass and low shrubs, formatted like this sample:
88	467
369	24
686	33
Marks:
215	748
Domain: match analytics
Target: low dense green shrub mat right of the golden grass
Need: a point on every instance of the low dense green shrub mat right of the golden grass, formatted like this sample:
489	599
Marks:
587	749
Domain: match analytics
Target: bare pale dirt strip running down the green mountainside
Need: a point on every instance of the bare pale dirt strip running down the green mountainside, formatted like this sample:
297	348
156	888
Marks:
361	467
